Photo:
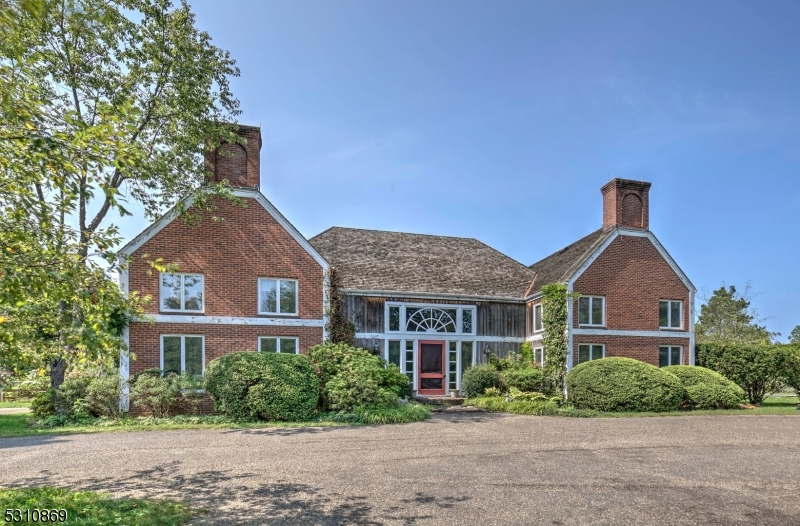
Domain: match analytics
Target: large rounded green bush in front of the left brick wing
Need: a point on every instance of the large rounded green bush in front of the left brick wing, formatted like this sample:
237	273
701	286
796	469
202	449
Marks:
265	386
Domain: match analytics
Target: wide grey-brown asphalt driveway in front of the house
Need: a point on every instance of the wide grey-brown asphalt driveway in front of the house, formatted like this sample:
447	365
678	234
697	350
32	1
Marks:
454	469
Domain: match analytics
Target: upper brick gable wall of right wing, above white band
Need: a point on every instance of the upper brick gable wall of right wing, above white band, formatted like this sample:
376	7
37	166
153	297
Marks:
633	277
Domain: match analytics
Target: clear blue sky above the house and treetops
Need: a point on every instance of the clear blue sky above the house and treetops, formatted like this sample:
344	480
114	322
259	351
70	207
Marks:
502	120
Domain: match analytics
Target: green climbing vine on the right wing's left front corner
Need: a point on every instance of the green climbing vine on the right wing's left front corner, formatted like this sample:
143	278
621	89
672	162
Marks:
556	350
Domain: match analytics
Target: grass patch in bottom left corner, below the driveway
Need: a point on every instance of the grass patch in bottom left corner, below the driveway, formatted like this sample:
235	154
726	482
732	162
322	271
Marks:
91	508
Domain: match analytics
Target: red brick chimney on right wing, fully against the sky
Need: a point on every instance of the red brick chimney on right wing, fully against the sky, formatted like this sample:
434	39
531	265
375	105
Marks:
626	203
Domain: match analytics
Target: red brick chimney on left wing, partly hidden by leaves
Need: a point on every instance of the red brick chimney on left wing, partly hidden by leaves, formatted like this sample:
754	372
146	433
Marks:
240	164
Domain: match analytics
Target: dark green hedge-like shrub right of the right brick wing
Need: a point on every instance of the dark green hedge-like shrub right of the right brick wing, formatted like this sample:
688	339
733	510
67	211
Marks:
758	369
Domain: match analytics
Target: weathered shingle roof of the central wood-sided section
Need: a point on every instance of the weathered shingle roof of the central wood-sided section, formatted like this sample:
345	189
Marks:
374	260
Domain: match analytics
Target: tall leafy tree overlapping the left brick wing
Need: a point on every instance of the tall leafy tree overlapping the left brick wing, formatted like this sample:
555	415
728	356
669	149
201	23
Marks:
102	102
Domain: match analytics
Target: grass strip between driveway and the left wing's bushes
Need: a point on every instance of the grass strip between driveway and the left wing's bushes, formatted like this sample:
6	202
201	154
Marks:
20	424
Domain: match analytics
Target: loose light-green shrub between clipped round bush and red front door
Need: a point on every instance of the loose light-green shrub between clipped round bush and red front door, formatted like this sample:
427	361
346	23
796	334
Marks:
353	378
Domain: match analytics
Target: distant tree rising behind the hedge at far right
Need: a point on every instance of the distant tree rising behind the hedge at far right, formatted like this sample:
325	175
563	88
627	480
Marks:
728	317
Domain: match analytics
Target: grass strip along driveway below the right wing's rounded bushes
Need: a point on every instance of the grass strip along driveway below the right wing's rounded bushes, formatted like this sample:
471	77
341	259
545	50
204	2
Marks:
780	404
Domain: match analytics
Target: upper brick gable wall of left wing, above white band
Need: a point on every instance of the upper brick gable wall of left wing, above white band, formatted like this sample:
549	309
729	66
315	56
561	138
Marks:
231	255
